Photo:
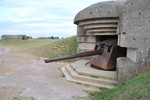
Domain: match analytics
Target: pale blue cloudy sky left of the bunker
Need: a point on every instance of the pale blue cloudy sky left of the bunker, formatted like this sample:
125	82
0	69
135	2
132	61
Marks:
40	18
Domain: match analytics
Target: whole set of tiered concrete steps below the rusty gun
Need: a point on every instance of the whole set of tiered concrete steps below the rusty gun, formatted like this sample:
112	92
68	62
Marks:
81	72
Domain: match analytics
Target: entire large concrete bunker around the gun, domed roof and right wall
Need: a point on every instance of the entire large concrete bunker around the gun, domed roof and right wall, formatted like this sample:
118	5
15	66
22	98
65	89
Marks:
126	21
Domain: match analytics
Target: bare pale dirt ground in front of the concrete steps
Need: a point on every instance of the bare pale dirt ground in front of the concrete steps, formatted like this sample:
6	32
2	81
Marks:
26	77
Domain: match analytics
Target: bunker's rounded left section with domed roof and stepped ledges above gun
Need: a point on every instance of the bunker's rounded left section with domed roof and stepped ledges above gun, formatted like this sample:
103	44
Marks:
98	22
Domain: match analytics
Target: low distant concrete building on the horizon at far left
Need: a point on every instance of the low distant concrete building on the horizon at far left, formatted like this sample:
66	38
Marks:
7	37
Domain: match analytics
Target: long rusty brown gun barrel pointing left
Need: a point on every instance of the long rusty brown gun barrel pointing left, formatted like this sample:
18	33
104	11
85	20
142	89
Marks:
84	54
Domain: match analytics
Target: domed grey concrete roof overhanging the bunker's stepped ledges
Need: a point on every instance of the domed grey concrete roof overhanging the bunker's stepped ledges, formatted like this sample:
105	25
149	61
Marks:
100	10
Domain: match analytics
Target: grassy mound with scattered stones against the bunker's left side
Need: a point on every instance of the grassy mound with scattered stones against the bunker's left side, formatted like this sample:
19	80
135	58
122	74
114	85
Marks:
59	48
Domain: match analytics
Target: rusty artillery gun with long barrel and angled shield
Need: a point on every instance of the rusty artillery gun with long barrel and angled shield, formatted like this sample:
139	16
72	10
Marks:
104	54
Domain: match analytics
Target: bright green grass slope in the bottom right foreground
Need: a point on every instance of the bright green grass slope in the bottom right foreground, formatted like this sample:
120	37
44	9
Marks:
135	89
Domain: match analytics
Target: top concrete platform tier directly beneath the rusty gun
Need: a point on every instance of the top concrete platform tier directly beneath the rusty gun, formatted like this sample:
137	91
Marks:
82	67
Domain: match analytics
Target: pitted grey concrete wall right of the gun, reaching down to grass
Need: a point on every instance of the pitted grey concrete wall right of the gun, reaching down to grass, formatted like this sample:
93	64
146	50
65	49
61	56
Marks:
135	31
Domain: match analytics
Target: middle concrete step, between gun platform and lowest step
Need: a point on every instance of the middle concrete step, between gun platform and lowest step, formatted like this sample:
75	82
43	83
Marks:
74	75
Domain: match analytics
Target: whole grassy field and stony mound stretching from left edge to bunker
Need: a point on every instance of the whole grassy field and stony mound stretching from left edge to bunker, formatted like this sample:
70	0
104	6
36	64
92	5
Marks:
47	48
